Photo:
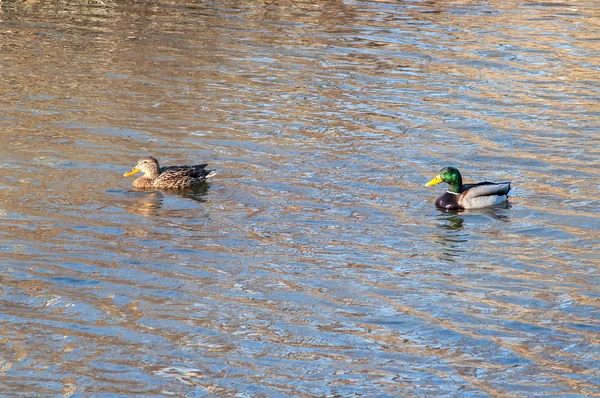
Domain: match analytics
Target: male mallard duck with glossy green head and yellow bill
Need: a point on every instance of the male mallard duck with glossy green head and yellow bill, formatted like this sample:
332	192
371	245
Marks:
468	196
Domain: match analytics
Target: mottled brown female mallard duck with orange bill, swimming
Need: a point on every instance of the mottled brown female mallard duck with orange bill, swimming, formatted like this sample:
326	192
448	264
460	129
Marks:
174	177
